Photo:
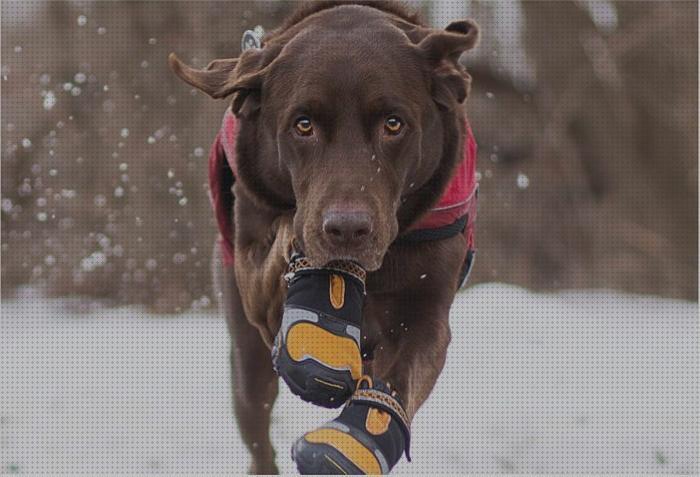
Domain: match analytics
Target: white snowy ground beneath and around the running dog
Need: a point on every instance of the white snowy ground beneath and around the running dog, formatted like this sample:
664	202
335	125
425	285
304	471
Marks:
575	382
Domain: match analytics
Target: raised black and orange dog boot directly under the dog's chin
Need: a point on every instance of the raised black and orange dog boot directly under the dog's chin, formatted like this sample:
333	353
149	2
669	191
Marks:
317	349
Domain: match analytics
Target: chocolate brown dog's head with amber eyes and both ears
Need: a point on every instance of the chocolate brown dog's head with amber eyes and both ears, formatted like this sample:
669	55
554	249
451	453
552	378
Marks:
351	115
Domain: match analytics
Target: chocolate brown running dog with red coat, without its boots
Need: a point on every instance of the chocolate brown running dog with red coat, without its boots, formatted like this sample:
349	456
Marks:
346	136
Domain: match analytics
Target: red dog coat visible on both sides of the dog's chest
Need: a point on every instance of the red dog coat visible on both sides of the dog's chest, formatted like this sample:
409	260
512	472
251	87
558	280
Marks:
454	213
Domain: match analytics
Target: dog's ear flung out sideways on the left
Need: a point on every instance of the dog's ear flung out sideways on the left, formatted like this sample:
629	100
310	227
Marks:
221	78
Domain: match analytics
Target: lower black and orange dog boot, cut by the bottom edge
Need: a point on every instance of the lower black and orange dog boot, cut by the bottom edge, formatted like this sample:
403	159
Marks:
368	437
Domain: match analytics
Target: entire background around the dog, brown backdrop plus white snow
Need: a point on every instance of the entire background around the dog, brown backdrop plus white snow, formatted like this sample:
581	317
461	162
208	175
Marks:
575	348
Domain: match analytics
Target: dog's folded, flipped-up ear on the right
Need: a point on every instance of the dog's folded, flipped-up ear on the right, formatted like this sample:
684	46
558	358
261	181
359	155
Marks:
442	49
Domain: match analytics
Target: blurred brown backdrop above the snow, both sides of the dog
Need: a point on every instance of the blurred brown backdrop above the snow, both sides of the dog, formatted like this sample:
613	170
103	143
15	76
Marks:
585	113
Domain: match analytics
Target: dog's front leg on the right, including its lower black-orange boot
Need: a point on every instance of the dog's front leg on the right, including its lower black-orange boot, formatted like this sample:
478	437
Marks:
406	323
